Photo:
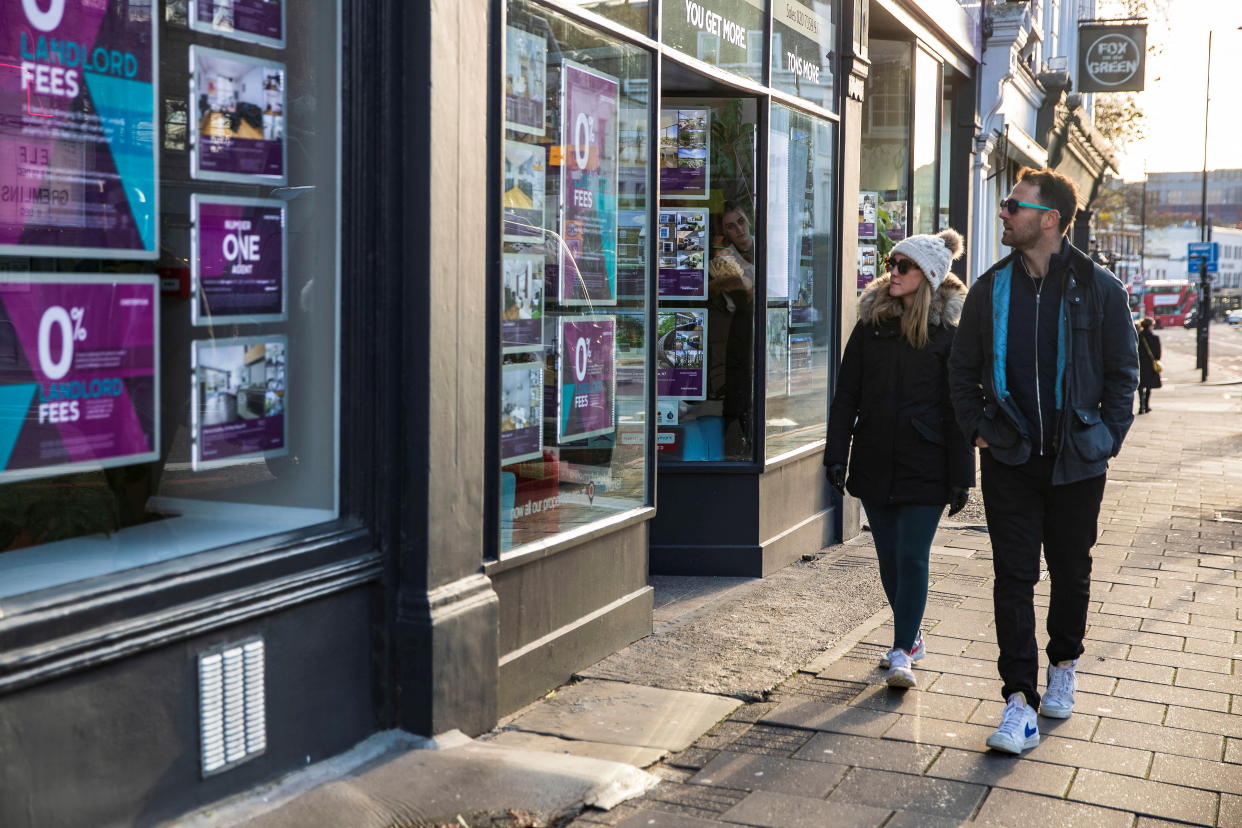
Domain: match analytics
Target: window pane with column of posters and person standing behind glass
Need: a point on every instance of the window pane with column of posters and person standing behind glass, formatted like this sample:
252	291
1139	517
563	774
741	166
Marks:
709	244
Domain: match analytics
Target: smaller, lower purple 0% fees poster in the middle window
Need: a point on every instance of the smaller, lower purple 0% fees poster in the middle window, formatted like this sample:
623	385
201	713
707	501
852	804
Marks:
586	377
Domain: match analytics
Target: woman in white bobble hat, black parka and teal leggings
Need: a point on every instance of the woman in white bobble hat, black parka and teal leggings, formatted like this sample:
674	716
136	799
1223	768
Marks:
892	420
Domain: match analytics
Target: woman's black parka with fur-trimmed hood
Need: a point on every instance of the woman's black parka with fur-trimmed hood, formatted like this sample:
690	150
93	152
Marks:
892	404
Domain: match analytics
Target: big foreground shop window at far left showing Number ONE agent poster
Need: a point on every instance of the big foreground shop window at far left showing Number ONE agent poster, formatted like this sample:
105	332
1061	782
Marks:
168	284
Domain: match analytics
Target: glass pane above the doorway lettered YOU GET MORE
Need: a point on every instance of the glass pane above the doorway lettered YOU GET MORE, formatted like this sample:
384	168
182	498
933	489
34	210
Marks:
728	34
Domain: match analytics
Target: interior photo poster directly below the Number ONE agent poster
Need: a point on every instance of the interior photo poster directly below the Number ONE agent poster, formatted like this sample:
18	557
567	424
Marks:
239	400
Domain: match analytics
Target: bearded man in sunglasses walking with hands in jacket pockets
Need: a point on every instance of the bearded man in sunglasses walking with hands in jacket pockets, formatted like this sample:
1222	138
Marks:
1043	377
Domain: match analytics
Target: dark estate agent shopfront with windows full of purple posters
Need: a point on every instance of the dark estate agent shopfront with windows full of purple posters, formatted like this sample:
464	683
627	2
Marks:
377	353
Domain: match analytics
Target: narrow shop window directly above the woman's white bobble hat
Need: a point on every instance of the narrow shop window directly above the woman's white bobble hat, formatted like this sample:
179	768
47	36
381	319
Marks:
884	168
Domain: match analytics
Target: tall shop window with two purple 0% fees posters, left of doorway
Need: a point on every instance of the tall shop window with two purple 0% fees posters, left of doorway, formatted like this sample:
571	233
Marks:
573	282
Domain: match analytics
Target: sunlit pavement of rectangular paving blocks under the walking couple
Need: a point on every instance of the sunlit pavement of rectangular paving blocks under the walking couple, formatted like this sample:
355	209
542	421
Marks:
1153	739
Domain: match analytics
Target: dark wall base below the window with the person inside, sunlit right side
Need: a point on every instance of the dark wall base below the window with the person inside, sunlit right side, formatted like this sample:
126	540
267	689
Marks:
741	524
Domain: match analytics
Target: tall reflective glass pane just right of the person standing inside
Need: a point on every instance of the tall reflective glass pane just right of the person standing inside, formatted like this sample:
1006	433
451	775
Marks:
800	279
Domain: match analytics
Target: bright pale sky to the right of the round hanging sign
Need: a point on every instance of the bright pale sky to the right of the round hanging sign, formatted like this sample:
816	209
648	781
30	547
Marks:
1174	94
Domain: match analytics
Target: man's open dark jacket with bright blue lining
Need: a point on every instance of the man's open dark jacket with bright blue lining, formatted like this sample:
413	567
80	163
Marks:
1099	369
